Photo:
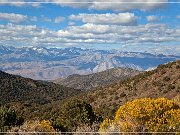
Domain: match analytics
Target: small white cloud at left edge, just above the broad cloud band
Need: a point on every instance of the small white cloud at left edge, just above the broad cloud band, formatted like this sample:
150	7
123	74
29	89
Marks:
11	17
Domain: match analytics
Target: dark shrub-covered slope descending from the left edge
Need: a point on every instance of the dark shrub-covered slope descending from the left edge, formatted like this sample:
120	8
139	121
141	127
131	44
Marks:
18	89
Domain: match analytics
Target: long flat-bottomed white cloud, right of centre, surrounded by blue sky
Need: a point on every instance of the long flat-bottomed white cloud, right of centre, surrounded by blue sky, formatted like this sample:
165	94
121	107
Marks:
111	19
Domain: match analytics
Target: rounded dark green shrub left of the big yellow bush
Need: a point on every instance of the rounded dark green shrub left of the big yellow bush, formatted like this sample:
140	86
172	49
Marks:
75	112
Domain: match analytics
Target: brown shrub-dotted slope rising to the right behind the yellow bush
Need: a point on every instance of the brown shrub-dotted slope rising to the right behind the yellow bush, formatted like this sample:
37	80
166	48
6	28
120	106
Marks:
161	82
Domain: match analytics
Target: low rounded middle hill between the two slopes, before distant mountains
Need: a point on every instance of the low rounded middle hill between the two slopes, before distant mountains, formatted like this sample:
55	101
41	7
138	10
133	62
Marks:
100	79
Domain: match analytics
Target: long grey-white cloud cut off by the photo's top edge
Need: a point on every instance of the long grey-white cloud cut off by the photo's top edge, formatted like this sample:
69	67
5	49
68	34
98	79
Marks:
116	5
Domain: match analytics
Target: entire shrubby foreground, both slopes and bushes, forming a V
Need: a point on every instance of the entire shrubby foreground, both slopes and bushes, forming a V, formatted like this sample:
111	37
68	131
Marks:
149	101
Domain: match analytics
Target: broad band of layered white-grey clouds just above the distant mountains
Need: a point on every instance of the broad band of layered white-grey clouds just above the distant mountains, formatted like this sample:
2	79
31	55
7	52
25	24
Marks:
89	34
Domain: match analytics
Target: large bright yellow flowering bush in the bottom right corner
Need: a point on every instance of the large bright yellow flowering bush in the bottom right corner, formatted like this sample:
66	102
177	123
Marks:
153	115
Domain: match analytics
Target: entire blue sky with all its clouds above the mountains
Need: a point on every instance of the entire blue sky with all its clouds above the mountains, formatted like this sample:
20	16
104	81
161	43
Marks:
151	26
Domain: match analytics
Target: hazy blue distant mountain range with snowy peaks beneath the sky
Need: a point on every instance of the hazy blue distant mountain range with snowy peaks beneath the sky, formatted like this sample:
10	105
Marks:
42	63
